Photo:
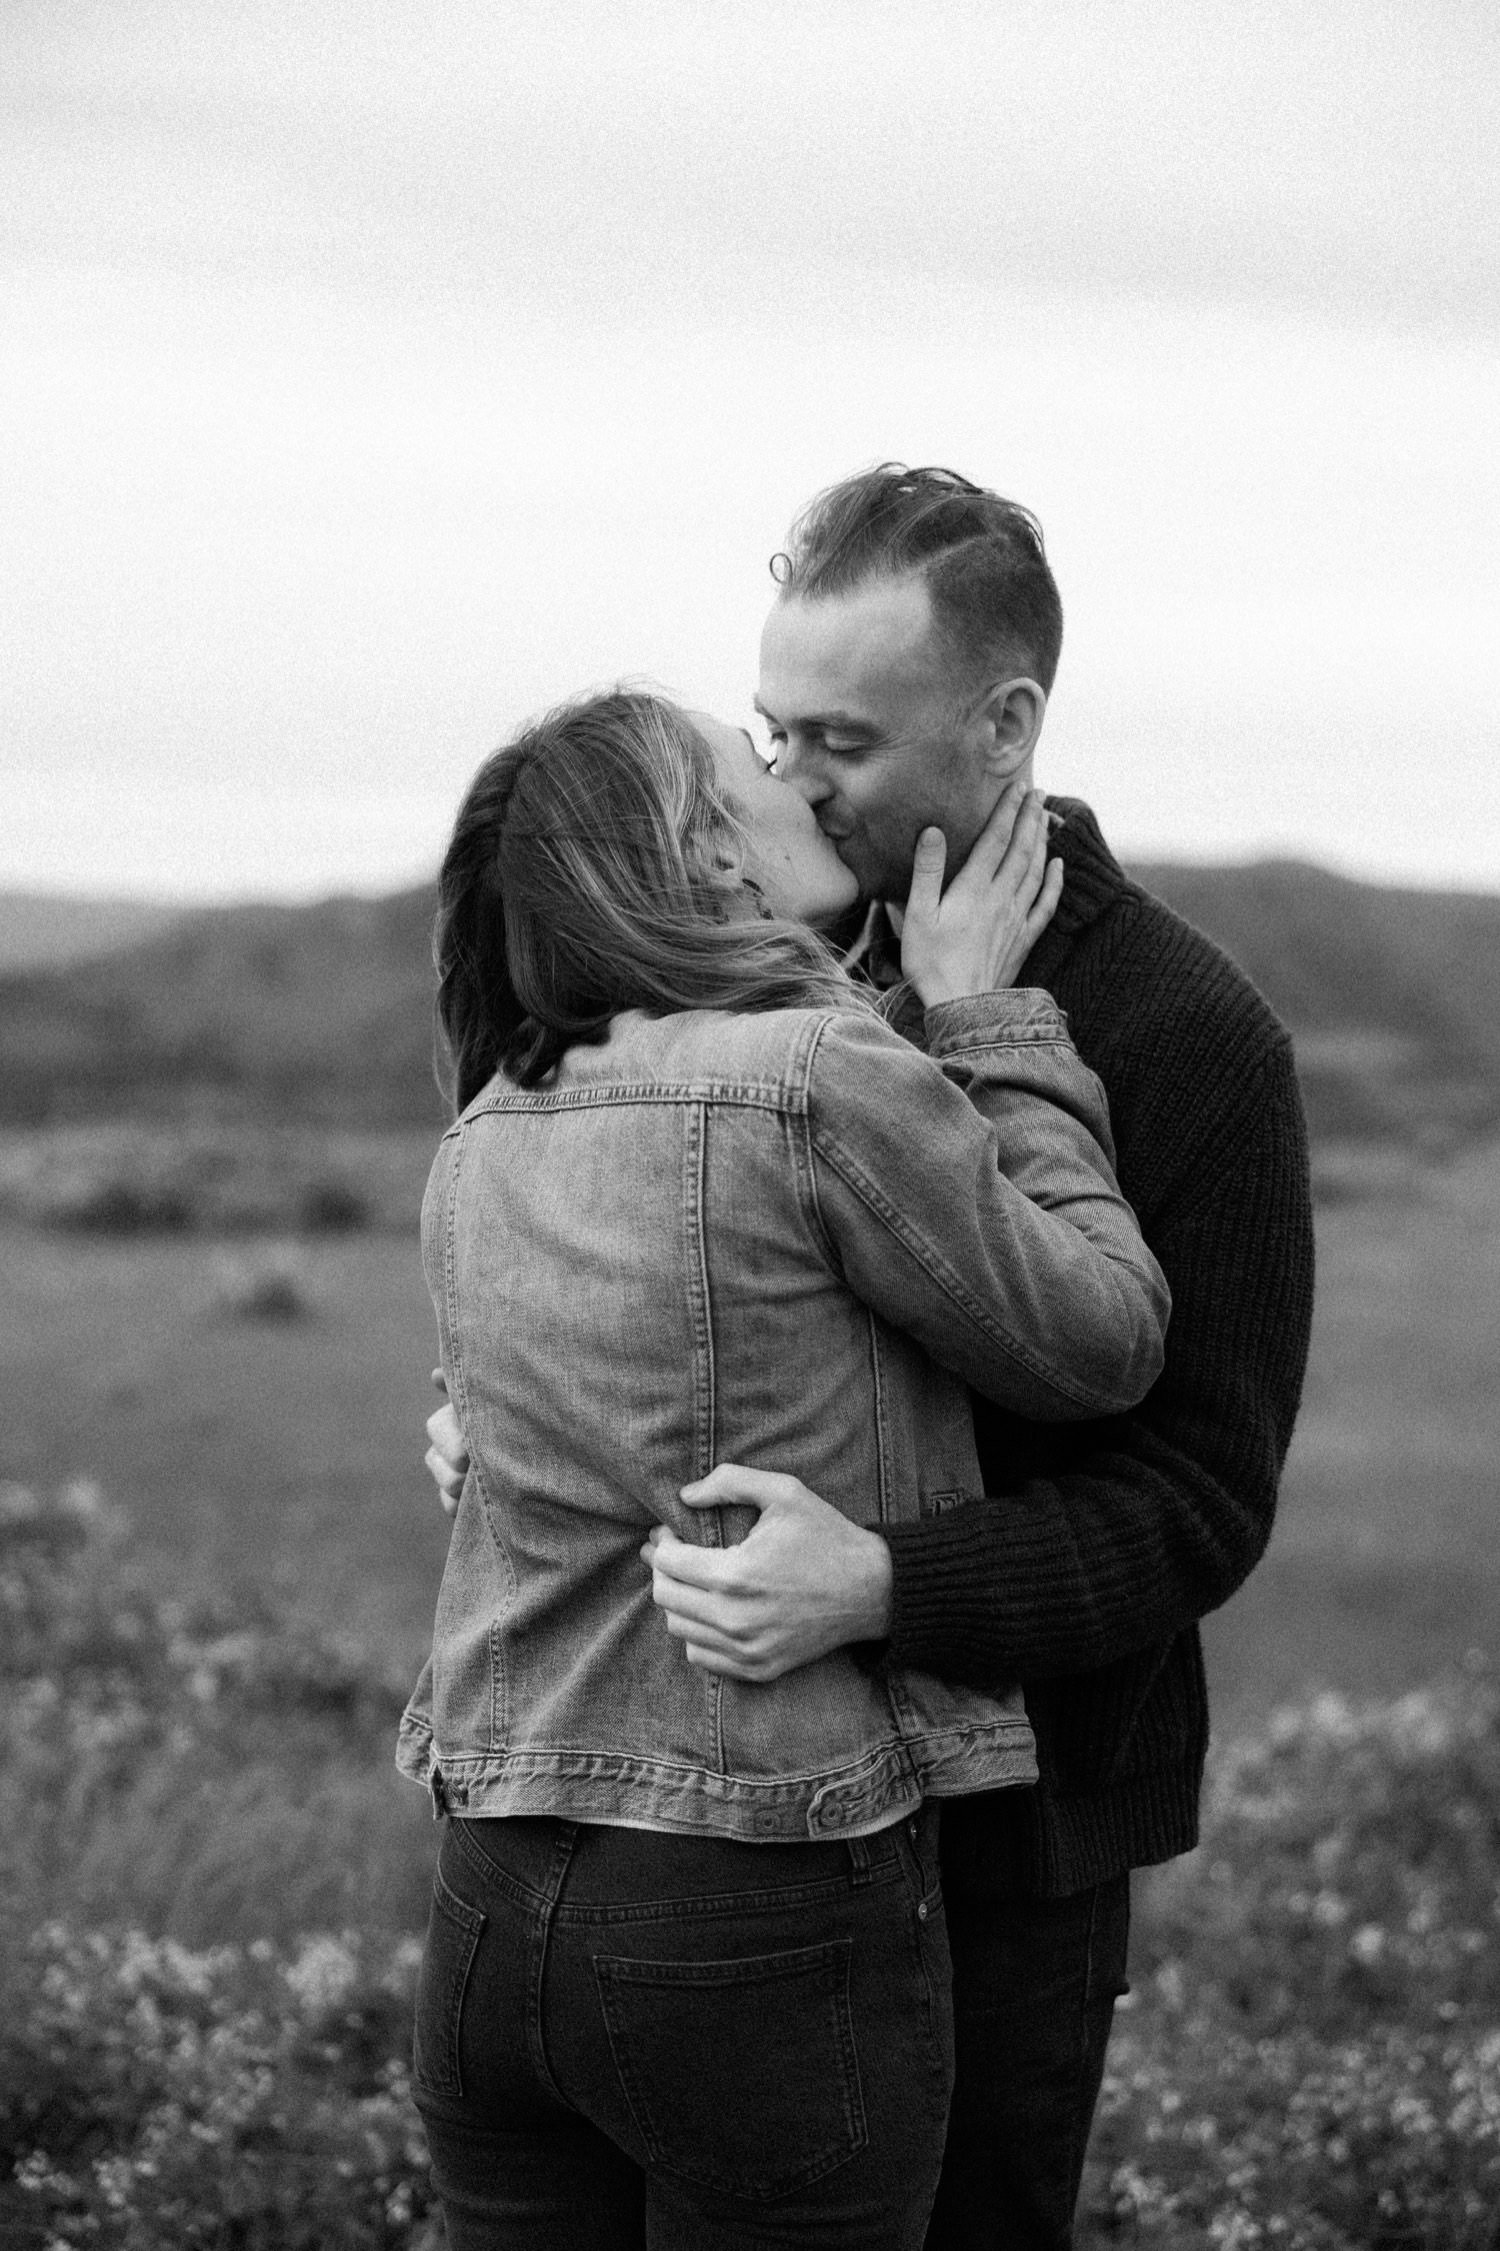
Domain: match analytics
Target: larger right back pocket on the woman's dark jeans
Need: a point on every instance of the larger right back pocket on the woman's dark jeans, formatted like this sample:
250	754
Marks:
740	2074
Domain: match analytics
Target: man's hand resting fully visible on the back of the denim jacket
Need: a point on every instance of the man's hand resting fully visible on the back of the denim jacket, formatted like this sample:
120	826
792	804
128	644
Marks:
803	1584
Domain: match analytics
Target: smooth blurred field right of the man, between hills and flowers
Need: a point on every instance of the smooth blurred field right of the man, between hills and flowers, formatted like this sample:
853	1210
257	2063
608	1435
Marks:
1386	1561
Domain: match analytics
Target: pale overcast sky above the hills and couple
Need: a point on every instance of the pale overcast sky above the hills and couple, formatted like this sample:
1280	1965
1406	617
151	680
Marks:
375	373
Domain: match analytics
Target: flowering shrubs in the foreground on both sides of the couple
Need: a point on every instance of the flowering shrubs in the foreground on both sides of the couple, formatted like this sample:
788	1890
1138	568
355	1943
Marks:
1312	2056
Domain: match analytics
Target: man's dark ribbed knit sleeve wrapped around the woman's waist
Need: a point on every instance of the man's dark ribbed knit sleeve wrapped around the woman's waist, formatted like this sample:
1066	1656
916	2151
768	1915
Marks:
1163	1512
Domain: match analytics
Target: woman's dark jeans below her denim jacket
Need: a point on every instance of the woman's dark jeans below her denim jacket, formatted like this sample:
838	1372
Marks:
636	2041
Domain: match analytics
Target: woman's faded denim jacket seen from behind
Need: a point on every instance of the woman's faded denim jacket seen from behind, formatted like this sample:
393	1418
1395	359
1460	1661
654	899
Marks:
787	1241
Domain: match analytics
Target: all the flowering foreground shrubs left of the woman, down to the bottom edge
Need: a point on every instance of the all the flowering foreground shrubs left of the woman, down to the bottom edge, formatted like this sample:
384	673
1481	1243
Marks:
197	1773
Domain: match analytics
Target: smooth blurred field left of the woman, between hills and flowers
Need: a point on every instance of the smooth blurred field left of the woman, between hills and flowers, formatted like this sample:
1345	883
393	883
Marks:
247	1451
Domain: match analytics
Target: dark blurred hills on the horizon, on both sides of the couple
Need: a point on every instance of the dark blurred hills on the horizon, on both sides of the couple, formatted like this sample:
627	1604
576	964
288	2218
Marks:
323	1014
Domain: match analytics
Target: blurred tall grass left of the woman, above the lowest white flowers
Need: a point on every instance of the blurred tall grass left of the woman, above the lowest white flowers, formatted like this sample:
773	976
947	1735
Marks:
202	1773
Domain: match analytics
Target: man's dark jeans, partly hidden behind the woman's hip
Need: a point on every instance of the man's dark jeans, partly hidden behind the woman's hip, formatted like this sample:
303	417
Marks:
1035	1987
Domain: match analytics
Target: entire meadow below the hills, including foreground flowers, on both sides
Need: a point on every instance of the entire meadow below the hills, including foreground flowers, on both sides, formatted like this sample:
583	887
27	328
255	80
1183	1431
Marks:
217	1572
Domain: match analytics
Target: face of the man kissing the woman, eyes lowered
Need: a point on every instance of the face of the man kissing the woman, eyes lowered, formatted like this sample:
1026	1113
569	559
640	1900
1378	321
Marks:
866	724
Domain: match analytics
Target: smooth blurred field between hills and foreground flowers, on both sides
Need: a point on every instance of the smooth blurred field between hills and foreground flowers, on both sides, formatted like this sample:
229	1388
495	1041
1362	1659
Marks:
287	1453
